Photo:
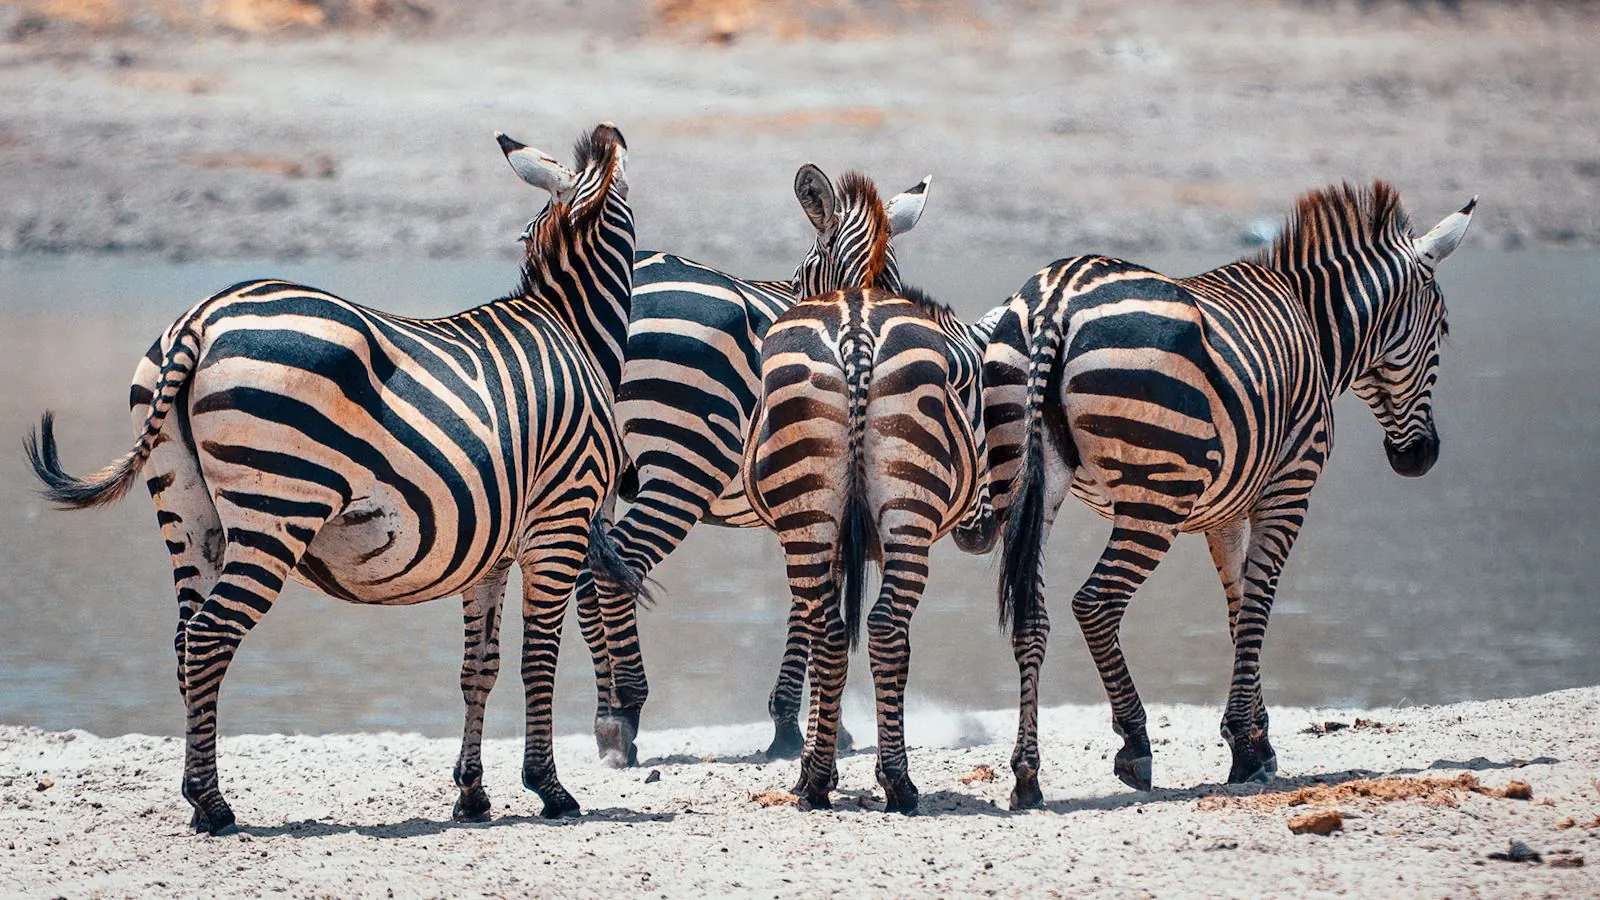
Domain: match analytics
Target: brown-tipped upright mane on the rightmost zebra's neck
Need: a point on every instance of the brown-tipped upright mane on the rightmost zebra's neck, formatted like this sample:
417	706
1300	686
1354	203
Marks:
1335	222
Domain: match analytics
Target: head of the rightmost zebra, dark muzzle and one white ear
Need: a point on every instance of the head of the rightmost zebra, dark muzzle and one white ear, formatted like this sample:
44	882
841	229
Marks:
1404	363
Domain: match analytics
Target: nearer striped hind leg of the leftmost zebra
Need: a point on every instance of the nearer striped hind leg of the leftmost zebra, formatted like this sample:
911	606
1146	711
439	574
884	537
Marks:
255	561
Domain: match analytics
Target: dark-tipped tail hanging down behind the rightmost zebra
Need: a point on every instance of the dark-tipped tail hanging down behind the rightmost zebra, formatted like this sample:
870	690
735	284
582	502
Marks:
1025	532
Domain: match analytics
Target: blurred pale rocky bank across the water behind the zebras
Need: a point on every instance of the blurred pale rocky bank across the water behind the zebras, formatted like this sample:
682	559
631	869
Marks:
361	129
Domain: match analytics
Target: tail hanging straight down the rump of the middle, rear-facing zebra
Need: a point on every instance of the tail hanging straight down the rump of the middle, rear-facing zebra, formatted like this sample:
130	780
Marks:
857	531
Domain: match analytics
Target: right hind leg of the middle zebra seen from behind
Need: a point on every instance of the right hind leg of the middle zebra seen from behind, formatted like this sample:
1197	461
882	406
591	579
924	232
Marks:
889	648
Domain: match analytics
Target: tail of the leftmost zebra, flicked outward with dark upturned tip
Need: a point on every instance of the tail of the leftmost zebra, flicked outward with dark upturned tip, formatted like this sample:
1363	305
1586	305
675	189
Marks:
110	484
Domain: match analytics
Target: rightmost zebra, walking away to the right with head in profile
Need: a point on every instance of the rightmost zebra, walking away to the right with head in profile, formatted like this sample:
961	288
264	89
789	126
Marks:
1202	404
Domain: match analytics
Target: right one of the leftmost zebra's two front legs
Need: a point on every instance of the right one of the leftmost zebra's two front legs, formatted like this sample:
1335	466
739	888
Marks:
546	587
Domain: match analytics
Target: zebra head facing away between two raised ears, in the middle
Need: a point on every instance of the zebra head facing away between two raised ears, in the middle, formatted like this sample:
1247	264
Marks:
854	231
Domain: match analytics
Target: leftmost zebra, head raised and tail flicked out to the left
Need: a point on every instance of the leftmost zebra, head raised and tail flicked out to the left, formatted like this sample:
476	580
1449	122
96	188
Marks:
388	460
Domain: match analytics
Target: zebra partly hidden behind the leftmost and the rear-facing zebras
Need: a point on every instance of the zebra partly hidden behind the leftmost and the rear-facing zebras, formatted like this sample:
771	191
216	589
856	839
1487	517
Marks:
689	388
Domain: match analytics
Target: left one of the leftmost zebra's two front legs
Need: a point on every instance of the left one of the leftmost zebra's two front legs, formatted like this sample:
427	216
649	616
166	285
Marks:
479	669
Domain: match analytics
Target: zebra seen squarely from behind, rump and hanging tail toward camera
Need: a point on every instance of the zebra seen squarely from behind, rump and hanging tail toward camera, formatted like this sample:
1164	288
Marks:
868	441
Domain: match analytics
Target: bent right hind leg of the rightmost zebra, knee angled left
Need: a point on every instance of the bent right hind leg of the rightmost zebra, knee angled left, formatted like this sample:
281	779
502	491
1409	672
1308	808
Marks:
1134	552
